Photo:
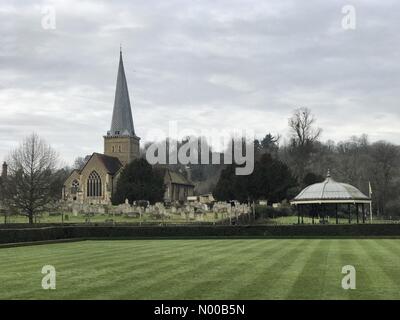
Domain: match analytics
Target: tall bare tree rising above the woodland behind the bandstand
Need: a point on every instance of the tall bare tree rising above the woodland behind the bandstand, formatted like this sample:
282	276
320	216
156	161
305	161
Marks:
304	135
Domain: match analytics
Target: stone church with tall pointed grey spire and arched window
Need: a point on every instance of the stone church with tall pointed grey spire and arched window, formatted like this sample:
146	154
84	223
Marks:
96	181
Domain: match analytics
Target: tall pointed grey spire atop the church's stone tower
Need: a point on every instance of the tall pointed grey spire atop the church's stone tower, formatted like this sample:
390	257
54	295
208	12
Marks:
122	121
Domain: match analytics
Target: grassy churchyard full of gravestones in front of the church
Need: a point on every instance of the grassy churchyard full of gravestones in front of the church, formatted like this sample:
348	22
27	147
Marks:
140	212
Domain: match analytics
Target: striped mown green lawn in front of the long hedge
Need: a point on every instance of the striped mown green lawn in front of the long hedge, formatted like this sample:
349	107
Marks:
203	269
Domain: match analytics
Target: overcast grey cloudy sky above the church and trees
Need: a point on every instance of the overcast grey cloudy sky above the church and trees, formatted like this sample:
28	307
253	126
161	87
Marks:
206	64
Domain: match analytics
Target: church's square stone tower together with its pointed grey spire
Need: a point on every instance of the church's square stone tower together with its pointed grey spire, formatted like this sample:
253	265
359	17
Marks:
121	141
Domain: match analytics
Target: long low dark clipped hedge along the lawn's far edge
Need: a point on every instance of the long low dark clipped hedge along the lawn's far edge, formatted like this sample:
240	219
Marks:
110	232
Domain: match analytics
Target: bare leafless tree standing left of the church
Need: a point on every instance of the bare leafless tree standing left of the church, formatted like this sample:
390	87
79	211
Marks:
30	187
